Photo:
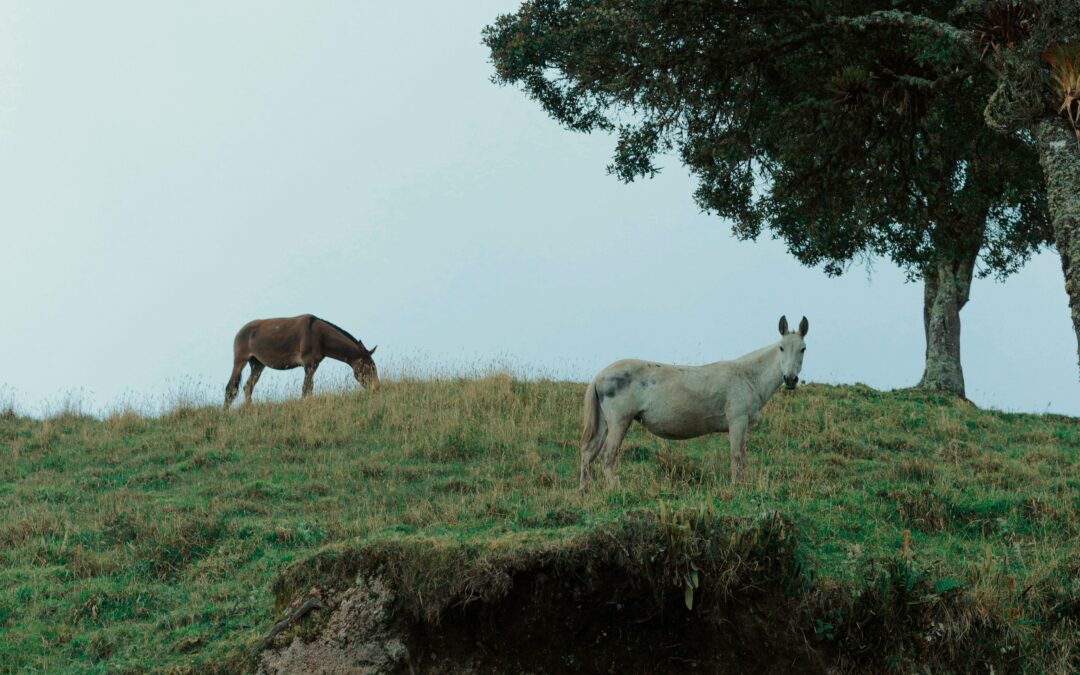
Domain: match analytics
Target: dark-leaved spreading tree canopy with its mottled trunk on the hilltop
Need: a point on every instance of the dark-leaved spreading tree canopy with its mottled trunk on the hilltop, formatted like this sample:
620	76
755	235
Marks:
844	127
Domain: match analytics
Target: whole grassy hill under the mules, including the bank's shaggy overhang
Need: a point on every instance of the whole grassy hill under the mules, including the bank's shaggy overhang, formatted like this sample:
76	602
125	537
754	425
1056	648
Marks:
896	530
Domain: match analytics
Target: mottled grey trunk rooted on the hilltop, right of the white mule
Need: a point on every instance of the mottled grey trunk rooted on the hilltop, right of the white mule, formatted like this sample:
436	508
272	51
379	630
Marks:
948	287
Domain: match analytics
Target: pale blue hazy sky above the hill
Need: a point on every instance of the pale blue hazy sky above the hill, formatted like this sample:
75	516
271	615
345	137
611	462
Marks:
172	171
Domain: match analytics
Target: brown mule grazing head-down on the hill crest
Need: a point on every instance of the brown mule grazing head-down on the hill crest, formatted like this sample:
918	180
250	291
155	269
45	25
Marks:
286	344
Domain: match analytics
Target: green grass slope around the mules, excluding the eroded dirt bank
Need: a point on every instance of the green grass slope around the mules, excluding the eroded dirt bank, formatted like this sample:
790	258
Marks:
132	544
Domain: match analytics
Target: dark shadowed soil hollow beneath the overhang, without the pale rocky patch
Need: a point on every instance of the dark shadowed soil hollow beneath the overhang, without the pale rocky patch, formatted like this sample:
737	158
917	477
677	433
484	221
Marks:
604	623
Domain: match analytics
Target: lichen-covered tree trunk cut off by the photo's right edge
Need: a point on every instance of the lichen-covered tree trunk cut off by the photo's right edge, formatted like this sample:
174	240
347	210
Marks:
1060	156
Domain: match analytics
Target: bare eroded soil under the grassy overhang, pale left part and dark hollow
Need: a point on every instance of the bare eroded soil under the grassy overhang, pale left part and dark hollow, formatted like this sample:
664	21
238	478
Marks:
596	622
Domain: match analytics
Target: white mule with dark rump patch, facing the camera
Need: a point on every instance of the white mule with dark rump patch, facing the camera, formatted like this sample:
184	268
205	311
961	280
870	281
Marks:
686	402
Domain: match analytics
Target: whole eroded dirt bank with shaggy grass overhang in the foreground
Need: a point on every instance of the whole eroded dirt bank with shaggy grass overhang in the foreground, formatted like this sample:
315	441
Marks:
679	593
